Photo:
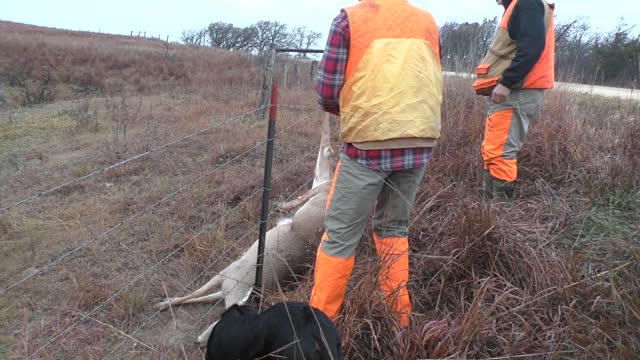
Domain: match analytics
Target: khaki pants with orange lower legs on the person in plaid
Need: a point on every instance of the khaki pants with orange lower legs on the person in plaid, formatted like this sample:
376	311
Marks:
356	192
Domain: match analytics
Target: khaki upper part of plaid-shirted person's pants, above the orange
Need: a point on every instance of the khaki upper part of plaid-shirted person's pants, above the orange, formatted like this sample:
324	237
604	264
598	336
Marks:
357	191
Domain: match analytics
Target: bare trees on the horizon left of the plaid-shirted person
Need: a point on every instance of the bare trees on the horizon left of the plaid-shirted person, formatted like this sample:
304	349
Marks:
258	37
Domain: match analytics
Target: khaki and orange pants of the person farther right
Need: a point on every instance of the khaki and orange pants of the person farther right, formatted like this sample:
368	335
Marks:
506	130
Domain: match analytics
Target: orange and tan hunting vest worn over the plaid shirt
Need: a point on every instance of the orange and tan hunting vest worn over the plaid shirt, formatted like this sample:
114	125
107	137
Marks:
393	80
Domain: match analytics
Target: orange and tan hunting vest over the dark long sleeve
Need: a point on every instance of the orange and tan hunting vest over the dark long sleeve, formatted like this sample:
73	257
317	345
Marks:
503	51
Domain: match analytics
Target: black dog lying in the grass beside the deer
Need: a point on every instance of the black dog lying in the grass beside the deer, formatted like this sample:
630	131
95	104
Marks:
244	334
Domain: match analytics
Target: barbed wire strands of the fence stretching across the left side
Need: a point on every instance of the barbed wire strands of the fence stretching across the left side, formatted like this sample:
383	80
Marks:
303	156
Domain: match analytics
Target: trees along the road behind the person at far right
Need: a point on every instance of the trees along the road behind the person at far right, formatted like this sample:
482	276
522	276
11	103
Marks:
583	55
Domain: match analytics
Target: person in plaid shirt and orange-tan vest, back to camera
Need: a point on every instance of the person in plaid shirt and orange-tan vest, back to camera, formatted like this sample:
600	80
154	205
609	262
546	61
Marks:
381	73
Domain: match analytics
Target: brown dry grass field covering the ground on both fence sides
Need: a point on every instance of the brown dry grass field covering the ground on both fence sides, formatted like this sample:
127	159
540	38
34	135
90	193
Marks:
554	275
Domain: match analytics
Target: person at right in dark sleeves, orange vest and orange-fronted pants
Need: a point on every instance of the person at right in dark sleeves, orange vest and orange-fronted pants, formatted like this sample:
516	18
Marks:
516	70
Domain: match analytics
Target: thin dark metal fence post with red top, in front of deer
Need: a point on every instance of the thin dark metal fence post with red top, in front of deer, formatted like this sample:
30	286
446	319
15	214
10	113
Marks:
266	190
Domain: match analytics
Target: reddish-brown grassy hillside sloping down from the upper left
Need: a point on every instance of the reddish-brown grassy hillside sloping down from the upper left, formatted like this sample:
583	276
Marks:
41	65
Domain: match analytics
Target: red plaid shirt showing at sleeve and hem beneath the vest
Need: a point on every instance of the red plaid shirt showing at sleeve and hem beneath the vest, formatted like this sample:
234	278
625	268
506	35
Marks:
330	80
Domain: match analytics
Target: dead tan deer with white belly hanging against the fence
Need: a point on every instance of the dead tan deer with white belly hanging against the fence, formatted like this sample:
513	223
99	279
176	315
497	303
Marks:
289	247
